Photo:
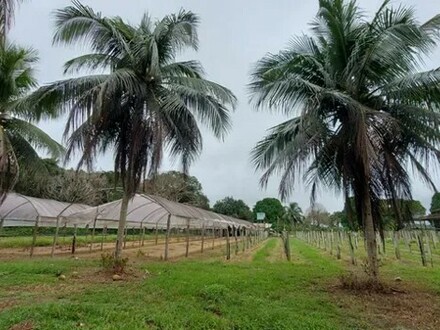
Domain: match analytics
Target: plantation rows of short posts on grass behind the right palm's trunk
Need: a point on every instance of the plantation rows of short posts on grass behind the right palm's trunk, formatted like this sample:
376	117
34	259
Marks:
421	245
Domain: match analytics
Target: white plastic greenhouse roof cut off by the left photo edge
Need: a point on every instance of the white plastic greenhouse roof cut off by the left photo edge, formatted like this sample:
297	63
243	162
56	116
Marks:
19	210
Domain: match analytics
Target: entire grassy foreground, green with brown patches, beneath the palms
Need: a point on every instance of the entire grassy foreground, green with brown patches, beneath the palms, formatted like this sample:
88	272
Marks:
255	290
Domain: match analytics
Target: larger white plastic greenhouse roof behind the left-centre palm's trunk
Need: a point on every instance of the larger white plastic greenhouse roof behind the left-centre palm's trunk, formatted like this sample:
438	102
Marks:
146	211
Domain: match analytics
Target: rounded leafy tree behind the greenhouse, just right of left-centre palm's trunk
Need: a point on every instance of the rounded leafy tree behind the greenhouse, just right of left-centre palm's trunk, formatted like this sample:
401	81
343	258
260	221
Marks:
178	187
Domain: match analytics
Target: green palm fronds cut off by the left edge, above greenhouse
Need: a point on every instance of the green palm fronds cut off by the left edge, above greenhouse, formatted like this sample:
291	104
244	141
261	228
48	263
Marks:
19	138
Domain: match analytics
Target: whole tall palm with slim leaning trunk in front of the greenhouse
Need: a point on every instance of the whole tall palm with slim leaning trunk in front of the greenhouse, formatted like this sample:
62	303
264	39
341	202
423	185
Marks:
144	102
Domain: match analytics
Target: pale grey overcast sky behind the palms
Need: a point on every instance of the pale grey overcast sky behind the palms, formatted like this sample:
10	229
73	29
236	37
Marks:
234	34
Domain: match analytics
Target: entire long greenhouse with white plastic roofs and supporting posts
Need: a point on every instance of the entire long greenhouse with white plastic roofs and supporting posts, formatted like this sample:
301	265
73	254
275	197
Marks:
151	221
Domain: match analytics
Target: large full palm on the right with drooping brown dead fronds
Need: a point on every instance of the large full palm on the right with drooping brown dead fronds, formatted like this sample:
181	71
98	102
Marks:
366	111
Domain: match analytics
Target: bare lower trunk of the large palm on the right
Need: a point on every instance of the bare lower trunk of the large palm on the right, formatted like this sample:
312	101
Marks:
370	237
